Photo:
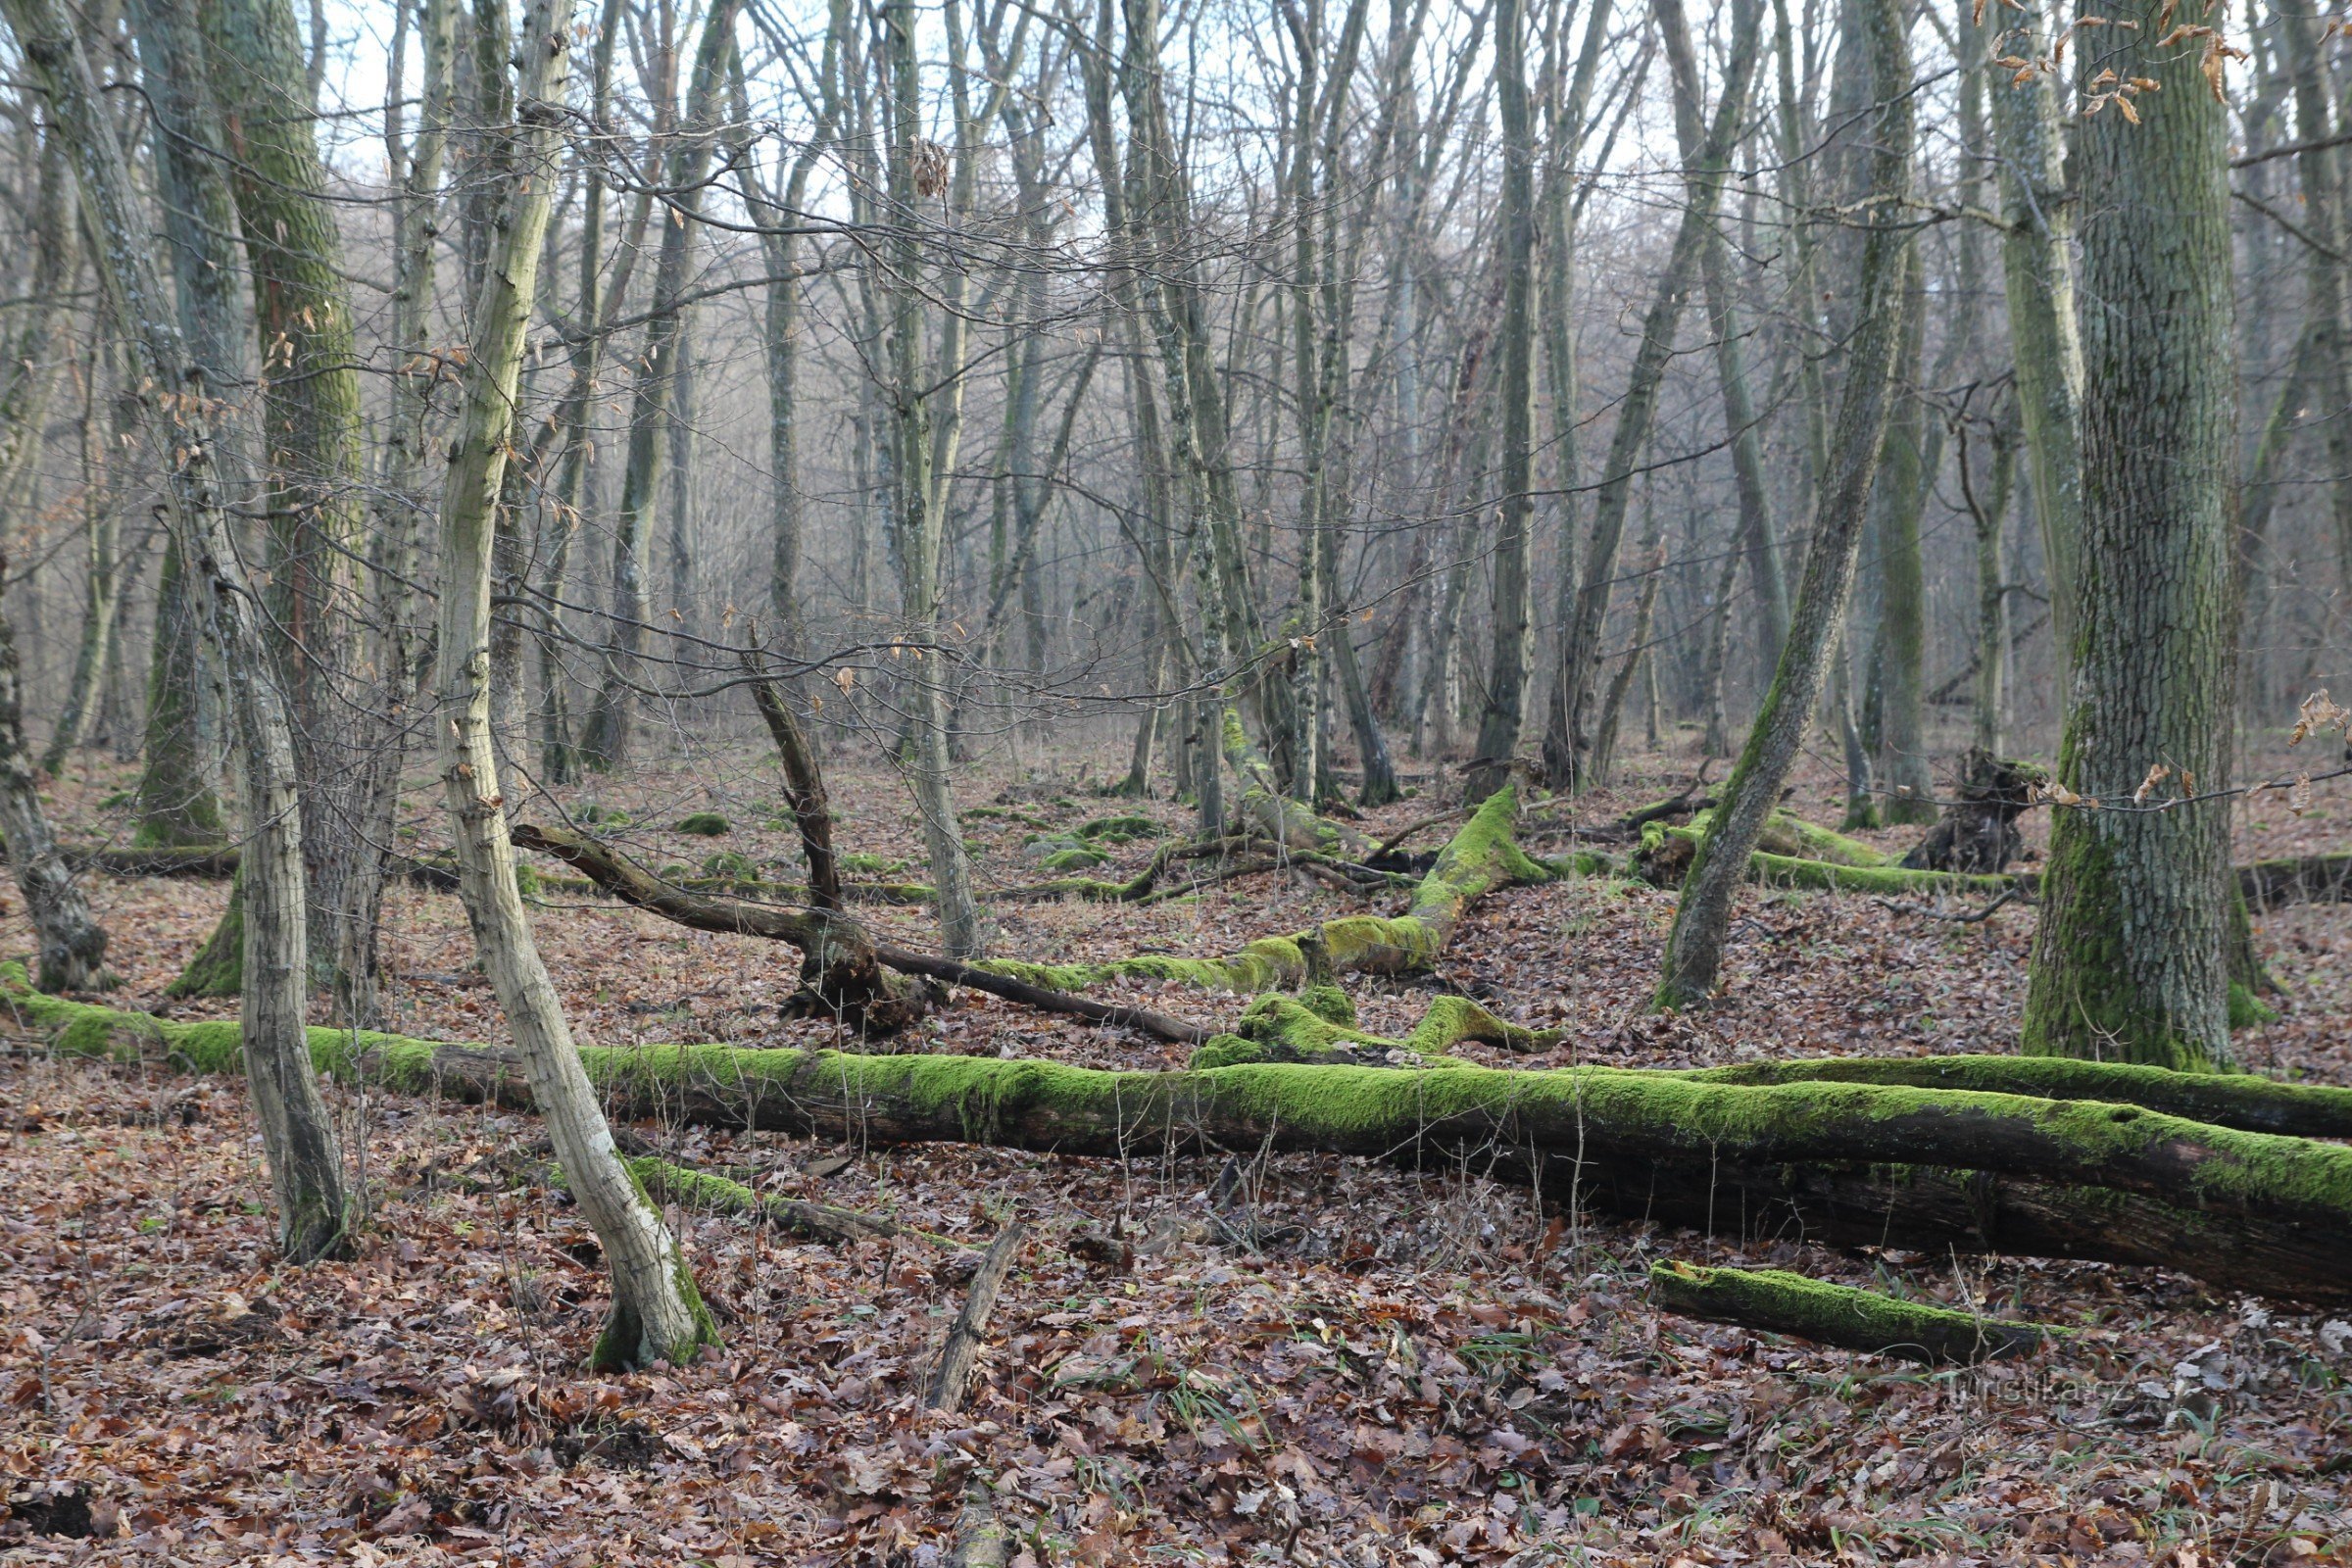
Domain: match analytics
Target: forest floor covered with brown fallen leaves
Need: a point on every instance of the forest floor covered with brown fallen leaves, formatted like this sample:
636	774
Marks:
1405	1369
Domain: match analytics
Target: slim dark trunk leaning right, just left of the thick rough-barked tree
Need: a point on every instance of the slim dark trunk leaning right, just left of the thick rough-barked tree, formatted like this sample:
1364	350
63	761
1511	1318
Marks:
1704	913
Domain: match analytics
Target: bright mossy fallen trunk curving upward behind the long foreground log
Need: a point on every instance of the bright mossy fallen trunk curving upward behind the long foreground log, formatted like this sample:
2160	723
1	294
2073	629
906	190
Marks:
1476	862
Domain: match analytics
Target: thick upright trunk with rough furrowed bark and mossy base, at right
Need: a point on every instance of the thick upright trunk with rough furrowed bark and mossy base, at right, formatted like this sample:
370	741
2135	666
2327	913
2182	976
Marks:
2130	960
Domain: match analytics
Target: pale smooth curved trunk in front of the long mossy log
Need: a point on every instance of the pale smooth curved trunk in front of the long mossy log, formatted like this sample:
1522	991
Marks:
655	1311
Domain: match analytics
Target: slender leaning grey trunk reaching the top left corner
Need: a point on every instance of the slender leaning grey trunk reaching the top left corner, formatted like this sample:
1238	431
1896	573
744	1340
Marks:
298	1134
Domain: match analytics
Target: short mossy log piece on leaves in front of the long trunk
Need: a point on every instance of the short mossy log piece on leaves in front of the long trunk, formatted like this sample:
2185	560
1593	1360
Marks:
1840	1315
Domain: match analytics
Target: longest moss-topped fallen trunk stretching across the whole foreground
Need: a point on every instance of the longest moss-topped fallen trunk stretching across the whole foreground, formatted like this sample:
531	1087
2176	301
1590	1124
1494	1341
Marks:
1862	1162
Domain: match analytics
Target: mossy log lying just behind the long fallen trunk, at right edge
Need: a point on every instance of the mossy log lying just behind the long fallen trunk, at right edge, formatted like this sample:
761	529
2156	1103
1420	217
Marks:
2224	1099
